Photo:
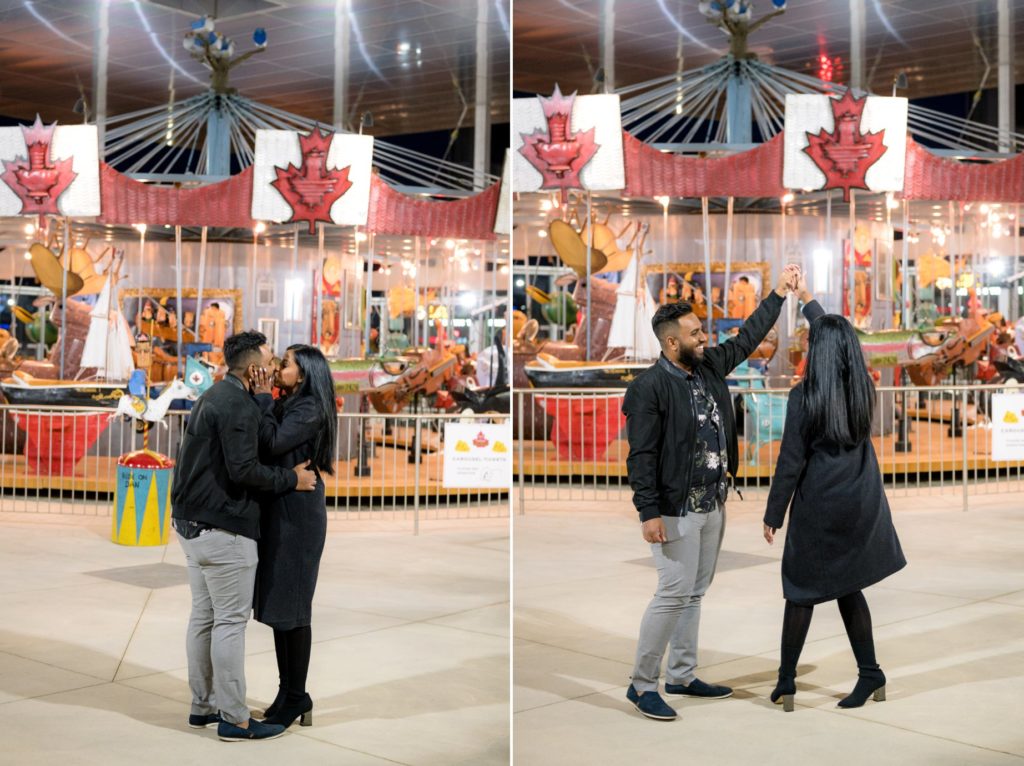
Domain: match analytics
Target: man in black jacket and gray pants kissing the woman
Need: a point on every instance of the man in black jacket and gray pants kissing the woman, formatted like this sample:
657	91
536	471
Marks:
217	516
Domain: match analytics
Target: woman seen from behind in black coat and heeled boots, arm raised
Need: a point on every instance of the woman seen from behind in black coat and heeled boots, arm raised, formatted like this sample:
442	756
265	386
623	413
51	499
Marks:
841	536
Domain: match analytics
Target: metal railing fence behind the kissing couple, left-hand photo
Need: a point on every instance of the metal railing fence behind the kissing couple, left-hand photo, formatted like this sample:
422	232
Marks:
390	467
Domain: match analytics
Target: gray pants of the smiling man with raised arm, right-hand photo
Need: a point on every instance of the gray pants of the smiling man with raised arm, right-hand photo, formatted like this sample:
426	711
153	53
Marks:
686	568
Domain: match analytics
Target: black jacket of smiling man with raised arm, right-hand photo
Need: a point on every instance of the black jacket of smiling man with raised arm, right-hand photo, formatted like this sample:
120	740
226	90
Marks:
661	419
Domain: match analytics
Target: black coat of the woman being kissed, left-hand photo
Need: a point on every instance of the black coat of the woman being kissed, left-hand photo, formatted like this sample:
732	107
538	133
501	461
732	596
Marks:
293	526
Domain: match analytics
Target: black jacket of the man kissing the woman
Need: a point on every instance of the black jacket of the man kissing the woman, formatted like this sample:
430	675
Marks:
219	476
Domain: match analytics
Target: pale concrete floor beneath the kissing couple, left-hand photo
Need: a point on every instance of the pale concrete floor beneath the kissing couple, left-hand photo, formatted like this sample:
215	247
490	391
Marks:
410	662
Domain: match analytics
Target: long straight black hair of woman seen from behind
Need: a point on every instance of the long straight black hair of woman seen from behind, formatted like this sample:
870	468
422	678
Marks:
839	393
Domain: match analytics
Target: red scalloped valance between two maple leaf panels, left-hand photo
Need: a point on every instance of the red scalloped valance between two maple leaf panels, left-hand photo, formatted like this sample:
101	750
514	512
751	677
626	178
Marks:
227	203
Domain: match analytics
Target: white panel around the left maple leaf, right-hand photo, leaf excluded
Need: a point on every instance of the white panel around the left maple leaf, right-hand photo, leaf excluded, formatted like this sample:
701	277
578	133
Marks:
606	171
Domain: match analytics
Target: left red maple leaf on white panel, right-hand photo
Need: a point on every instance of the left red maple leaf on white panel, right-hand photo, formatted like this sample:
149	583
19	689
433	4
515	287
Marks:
559	154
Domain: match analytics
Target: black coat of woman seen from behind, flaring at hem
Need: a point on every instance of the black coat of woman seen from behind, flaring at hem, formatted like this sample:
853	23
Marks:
841	537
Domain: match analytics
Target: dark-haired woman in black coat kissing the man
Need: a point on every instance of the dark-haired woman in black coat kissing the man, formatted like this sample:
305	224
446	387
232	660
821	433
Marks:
300	427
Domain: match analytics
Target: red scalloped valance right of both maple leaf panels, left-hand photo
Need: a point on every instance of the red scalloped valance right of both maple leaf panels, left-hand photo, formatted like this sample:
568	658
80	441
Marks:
395	214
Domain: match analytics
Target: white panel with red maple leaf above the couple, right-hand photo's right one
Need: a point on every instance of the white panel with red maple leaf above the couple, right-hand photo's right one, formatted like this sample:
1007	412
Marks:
880	130
